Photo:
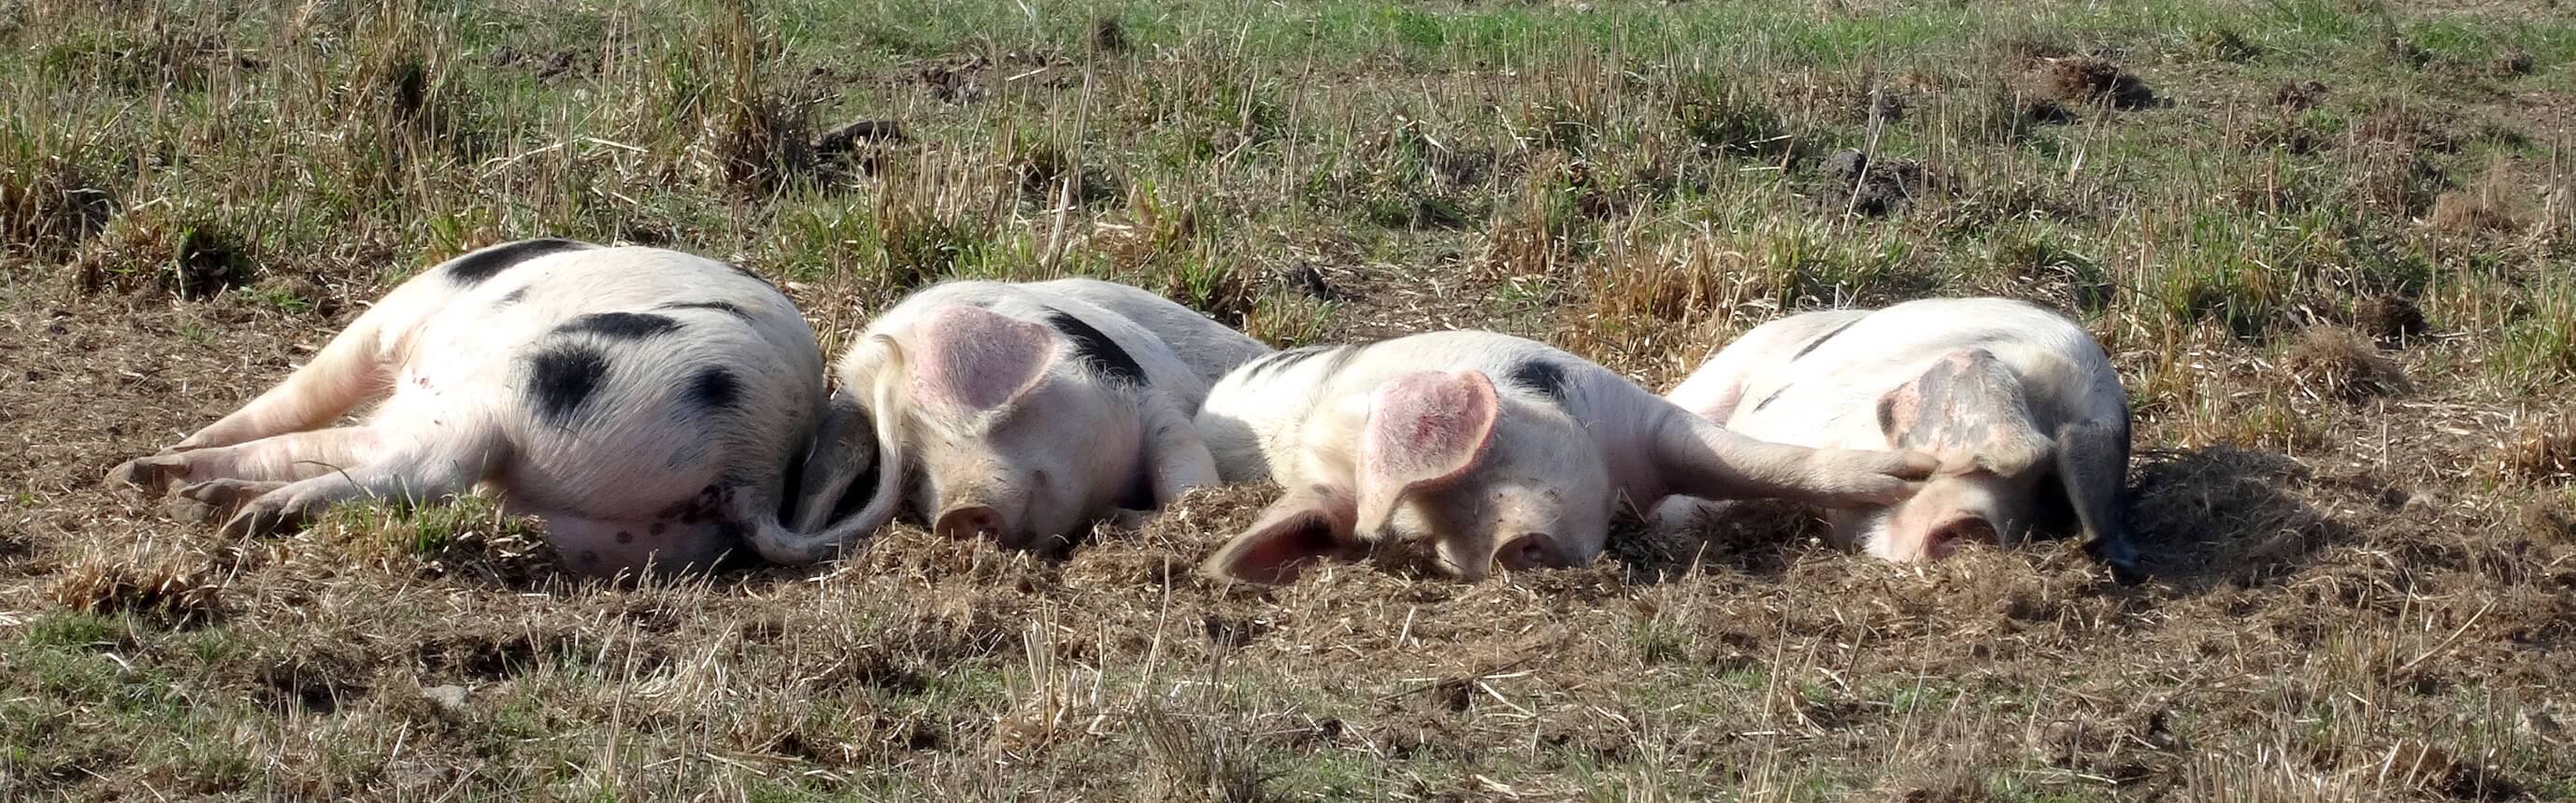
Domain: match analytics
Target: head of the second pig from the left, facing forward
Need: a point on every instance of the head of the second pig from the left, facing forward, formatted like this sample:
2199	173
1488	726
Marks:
1011	439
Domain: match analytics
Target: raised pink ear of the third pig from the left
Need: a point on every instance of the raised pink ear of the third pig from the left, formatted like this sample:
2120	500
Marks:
1423	429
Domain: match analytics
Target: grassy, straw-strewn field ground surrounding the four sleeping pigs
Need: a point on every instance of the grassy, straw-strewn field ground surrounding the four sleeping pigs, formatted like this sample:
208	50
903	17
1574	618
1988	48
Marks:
2327	243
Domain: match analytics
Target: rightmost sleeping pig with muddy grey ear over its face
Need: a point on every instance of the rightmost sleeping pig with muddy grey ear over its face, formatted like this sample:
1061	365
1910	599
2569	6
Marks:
2018	405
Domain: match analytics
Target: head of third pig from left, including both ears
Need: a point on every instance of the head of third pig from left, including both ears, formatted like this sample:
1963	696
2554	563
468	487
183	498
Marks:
1446	462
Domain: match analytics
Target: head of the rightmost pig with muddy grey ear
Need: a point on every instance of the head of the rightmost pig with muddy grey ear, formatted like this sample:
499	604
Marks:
1969	413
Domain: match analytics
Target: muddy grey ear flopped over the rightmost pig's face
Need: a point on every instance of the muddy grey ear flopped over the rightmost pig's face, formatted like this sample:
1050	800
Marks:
1969	413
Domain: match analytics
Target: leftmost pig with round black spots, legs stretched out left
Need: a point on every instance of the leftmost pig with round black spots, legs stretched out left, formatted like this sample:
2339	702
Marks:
643	403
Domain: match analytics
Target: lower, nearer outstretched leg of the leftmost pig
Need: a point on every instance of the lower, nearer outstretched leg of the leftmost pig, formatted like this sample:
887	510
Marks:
411	475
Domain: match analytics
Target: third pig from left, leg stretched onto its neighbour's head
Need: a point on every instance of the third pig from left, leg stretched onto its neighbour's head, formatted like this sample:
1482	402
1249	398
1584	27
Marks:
1493	449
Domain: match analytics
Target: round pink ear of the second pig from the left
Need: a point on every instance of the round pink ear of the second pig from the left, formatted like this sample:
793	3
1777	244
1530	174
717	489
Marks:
975	359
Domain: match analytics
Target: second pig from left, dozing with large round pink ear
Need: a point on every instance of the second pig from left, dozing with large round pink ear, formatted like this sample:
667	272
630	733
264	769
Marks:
1014	411
